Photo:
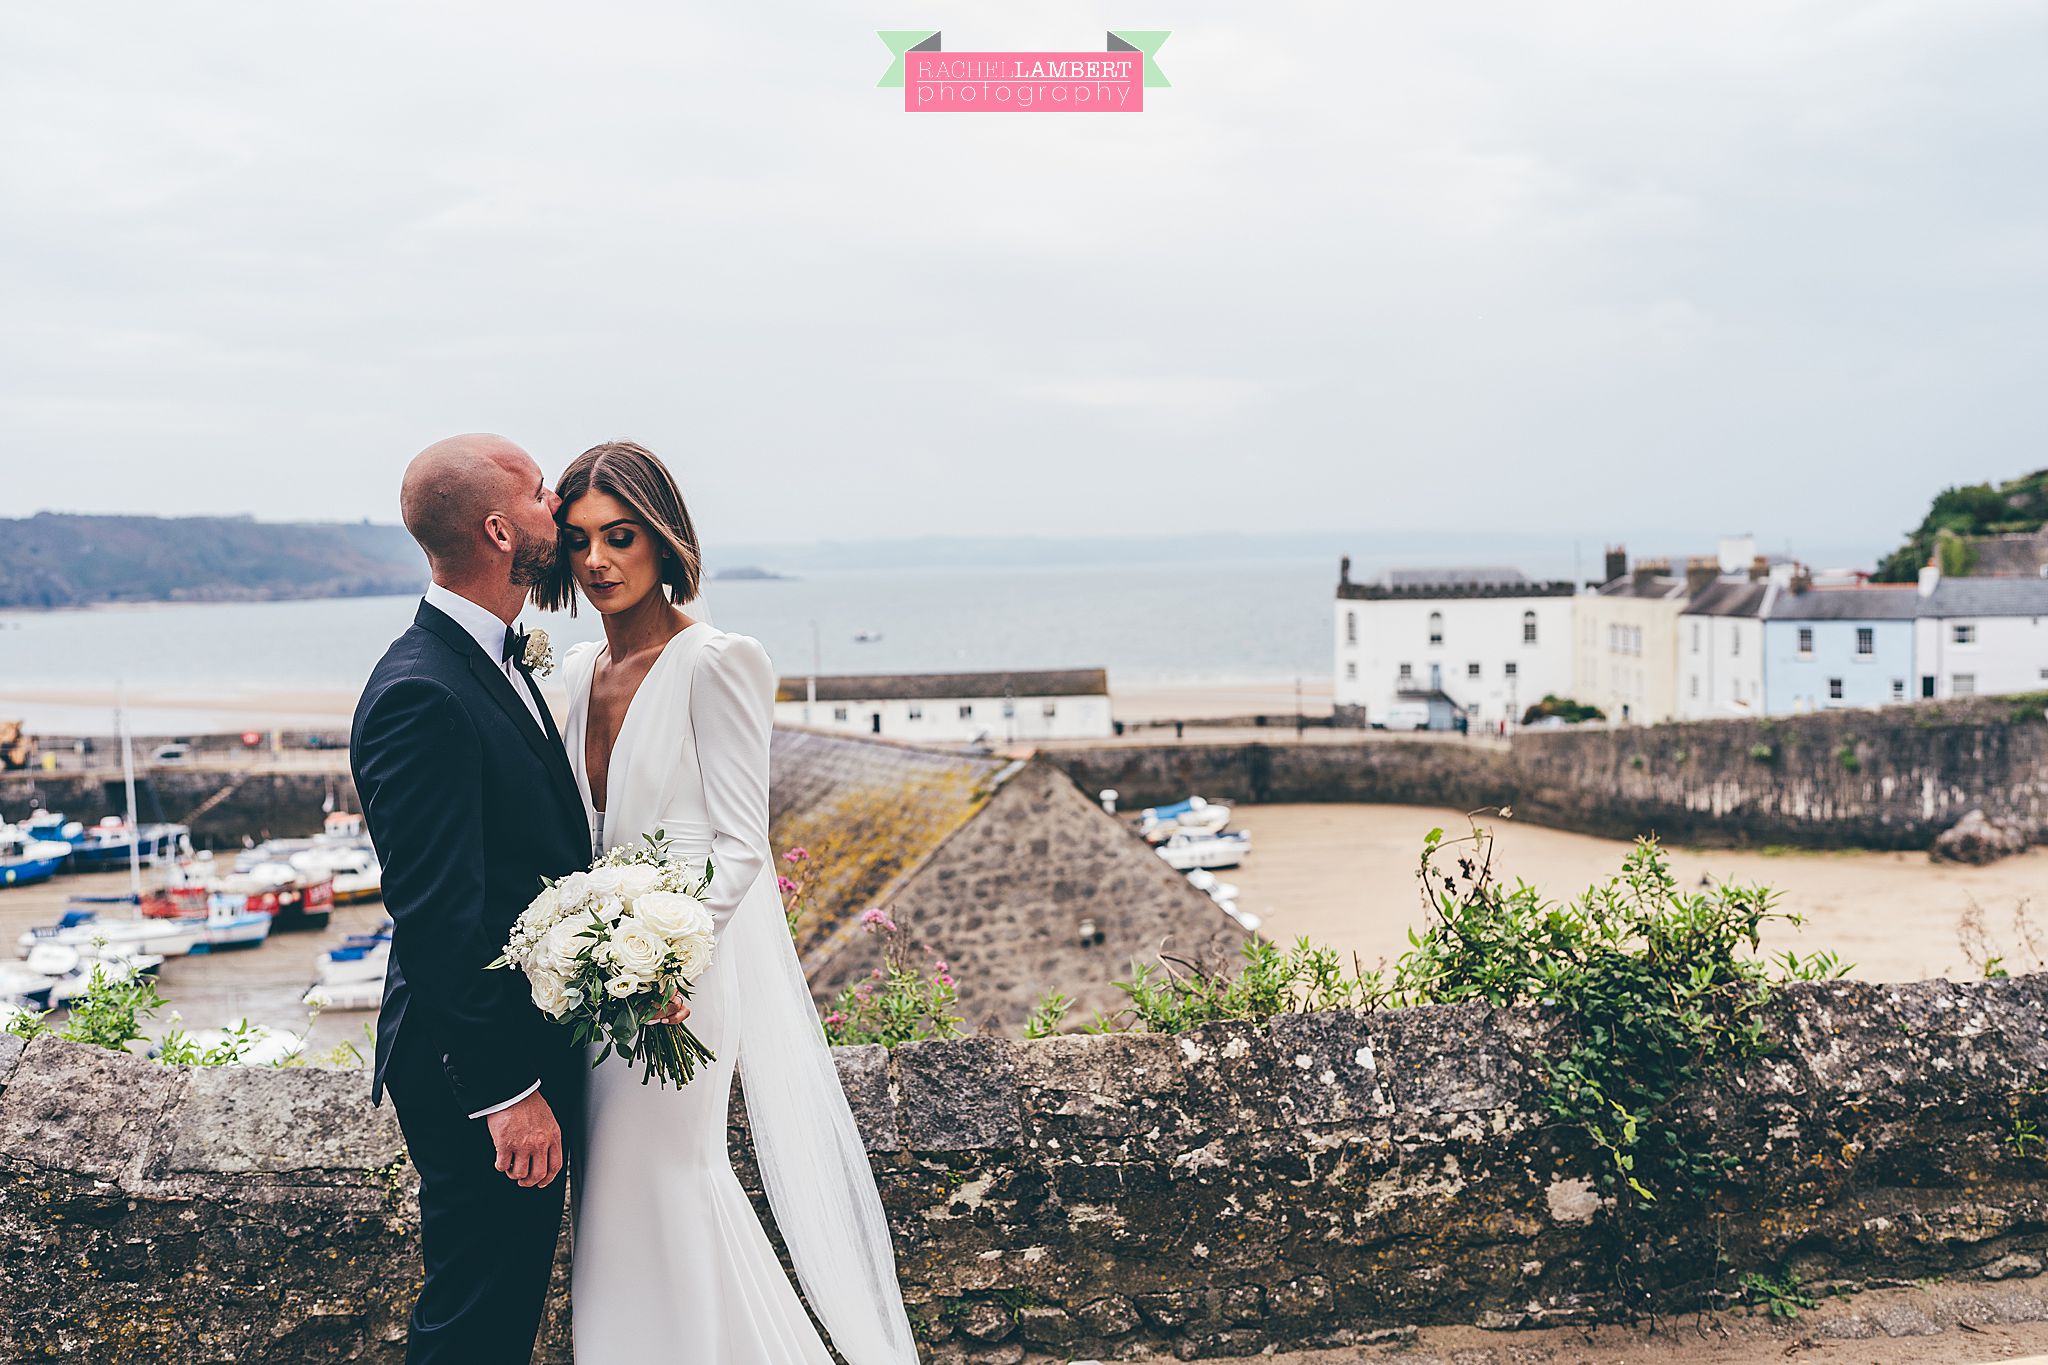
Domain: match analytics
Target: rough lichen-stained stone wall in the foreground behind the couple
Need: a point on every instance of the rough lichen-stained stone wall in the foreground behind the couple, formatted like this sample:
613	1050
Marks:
1318	1180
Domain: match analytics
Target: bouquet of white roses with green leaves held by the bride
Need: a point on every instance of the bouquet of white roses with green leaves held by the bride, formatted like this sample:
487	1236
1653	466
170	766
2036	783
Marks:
605	951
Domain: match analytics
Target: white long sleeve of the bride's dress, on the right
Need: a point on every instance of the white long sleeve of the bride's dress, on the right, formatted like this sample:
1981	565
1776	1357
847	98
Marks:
732	717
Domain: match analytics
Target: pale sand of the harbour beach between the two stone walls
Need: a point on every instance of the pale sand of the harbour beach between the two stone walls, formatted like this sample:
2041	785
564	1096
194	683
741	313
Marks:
1347	877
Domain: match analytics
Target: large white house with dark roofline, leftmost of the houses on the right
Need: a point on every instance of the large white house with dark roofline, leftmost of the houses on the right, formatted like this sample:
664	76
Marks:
1424	648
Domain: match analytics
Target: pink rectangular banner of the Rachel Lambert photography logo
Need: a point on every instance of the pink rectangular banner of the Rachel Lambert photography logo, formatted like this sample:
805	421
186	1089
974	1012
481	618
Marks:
1023	83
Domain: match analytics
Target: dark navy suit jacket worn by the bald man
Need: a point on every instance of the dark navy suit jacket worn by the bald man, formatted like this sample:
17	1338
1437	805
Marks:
470	805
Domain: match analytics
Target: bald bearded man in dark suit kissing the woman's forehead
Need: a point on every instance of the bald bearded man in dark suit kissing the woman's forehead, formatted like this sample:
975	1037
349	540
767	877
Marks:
470	799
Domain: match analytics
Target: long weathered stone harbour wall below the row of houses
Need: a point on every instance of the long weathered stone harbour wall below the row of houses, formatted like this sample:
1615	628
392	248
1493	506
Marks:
1846	779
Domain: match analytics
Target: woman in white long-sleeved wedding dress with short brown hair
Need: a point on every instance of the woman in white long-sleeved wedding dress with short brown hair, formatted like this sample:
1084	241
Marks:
669	730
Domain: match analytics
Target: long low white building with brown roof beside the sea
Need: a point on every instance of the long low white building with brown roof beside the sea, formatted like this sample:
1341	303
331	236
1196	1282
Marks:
953	707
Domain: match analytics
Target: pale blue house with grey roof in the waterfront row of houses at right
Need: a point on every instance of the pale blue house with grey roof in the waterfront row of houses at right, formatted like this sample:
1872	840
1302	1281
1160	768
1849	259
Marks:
1838	648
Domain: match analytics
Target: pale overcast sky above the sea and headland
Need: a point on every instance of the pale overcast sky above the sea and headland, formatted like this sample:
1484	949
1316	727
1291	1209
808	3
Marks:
1756	265
